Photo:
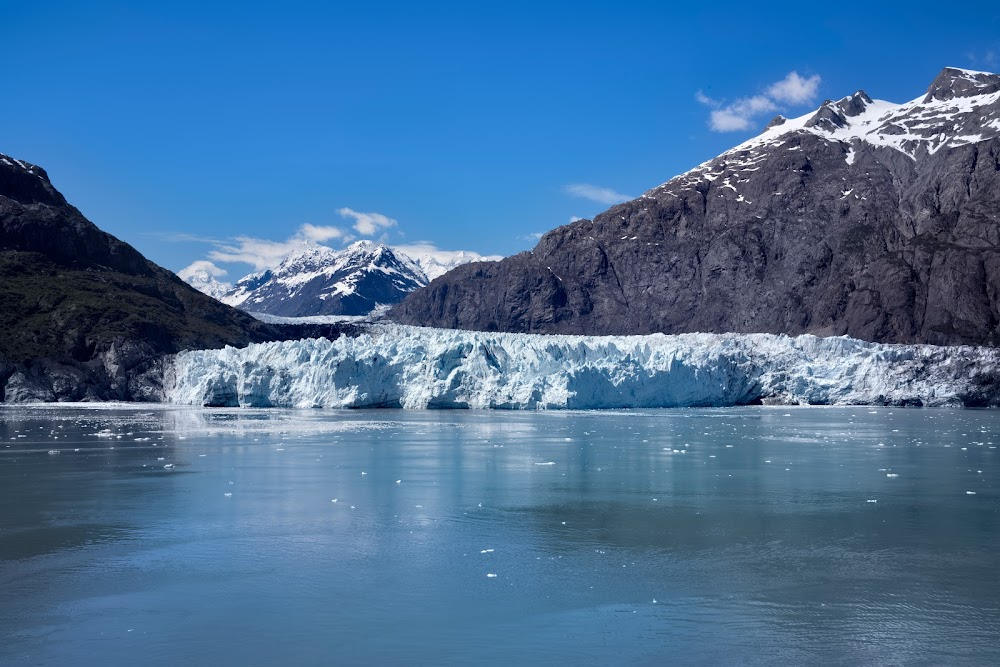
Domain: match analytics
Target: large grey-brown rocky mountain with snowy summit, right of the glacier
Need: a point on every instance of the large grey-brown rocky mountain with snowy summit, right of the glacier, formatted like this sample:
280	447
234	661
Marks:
867	218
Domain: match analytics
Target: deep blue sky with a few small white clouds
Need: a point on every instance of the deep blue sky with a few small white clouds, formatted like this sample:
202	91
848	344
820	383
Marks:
231	132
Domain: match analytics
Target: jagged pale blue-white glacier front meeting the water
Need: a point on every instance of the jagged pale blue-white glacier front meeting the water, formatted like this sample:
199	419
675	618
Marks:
399	366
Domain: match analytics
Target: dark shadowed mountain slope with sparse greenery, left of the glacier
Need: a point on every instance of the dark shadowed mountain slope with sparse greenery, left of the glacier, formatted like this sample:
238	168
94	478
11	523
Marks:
86	316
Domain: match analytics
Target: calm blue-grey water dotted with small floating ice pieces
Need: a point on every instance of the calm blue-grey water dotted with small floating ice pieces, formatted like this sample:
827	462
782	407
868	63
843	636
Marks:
757	541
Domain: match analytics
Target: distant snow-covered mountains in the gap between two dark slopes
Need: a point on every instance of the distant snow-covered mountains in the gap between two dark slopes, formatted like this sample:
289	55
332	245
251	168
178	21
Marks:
317	280
